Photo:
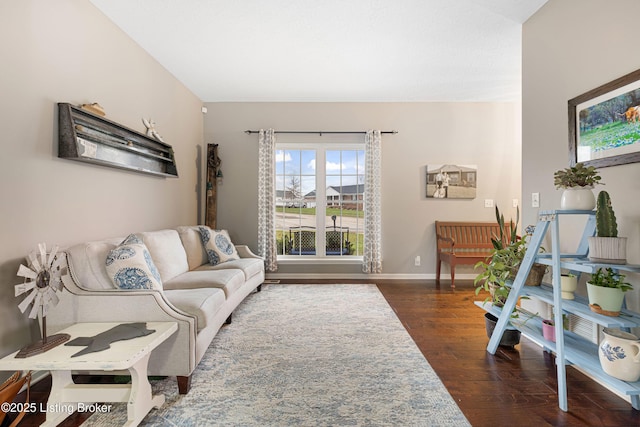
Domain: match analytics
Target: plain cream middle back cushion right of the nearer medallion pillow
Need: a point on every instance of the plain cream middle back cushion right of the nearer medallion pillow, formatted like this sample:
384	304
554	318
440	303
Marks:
167	252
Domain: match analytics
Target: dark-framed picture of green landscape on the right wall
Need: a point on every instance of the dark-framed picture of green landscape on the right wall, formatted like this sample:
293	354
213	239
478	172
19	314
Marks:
604	124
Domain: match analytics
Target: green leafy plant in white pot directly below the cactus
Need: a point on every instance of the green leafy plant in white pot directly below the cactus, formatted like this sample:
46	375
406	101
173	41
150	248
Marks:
606	291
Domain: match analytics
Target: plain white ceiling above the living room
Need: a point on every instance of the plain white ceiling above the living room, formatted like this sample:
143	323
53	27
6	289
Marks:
333	50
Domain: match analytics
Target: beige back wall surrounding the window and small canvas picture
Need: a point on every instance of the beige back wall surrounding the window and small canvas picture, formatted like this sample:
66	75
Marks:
485	134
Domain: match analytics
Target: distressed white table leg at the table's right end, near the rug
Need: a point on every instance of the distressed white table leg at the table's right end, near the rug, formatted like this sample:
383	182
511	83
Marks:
141	400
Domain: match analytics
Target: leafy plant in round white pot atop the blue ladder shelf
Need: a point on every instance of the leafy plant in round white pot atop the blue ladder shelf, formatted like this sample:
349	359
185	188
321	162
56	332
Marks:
577	182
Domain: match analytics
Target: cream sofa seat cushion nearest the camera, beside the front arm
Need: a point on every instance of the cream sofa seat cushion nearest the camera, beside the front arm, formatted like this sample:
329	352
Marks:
203	303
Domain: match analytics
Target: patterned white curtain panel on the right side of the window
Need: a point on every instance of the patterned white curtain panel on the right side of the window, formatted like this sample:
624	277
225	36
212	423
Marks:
372	257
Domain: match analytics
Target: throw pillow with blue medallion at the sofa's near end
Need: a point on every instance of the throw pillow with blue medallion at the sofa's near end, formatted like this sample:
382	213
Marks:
130	266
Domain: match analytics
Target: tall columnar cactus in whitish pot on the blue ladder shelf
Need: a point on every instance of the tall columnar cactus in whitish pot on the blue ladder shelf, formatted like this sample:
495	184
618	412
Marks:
606	246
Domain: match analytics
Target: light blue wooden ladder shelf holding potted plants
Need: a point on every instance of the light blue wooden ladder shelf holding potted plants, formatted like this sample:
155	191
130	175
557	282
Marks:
569	347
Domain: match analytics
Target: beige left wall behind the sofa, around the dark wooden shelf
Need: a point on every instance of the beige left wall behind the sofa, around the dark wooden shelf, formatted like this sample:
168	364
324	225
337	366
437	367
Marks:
67	51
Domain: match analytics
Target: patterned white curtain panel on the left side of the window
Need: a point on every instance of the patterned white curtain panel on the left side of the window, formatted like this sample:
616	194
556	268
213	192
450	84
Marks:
266	199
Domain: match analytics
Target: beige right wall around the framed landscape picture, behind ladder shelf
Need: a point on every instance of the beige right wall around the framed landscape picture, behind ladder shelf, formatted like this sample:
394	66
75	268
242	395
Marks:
569	48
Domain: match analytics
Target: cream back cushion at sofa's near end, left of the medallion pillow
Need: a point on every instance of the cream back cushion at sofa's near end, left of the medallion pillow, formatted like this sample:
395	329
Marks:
87	263
